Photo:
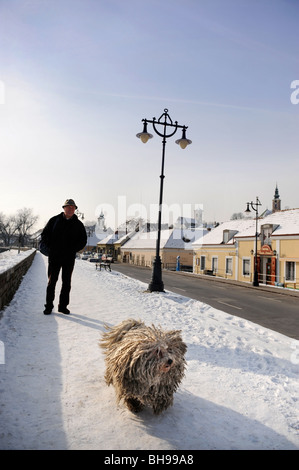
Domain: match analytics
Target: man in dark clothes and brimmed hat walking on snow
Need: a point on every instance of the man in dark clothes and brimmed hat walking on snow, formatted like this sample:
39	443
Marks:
64	235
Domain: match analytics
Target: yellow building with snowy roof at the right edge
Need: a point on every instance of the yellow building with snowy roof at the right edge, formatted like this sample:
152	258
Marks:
229	250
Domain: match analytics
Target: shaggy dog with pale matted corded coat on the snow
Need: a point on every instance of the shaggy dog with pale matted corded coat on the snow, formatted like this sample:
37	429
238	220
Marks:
144	363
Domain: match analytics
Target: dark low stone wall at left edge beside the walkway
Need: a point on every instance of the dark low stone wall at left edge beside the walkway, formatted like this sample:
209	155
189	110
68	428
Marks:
11	279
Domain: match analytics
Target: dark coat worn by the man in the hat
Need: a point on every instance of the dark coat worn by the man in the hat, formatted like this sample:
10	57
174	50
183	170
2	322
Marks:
64	237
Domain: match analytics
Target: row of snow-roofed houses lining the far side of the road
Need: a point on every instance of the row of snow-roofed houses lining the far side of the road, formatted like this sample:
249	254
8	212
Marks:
227	250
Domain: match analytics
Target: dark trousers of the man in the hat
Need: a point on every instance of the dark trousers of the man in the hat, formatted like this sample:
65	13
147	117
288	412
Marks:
54	266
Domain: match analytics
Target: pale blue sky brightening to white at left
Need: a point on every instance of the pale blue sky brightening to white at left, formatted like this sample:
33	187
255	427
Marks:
78	76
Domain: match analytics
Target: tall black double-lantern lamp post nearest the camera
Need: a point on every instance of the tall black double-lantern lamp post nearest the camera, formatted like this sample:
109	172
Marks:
168	128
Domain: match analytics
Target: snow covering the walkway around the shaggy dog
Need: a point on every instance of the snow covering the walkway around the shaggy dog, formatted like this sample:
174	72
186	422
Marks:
240	390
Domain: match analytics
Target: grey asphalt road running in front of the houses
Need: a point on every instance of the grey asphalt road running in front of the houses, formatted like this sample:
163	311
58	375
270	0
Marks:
270	307
